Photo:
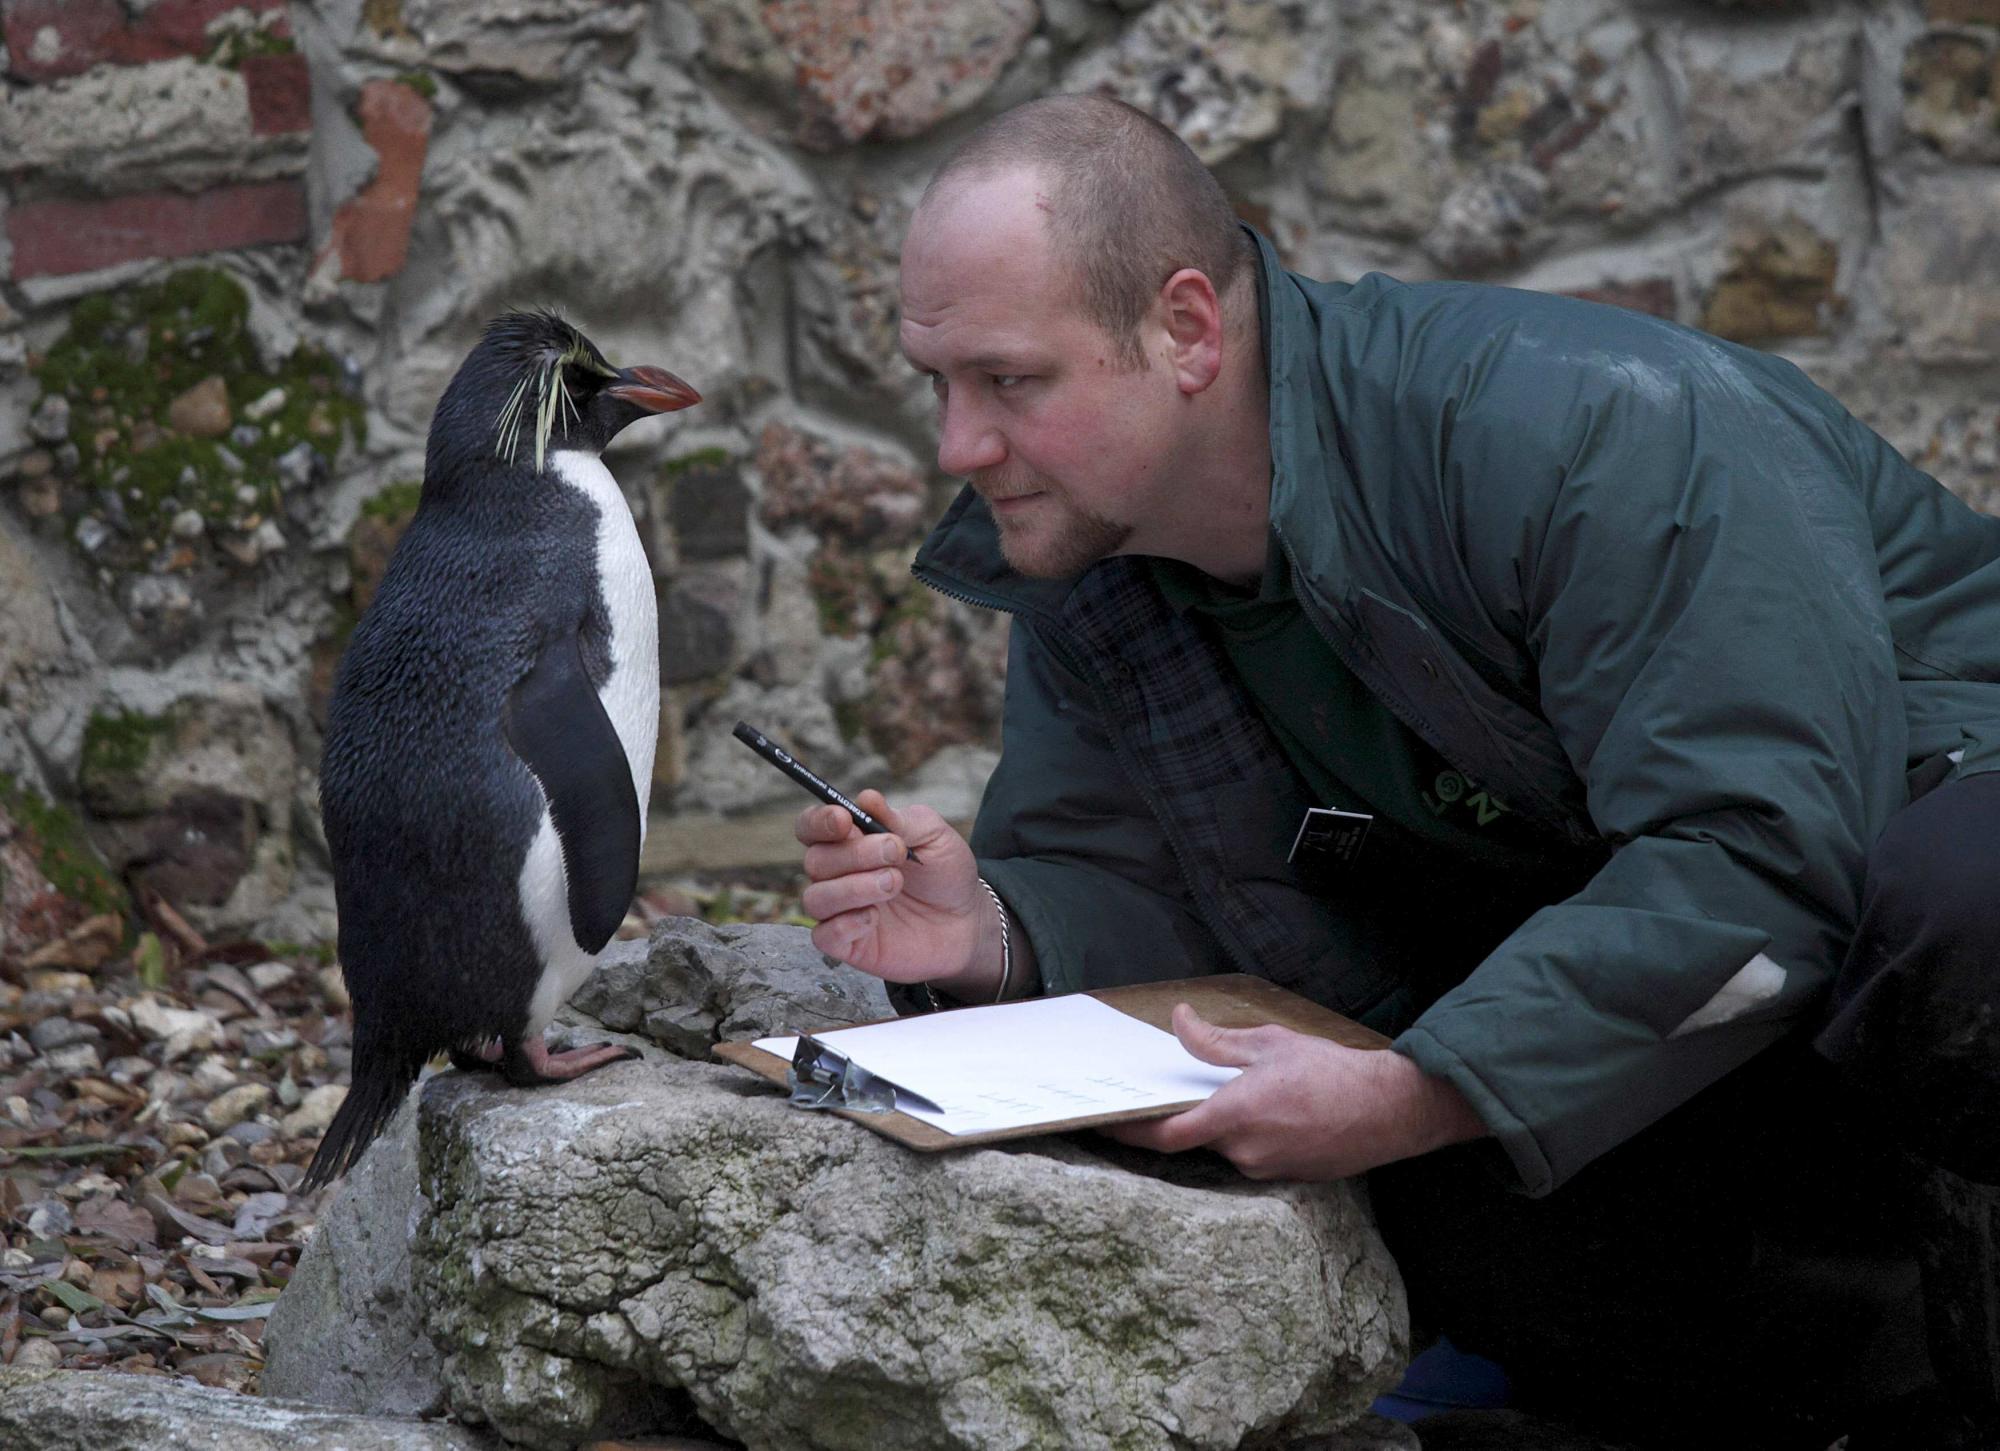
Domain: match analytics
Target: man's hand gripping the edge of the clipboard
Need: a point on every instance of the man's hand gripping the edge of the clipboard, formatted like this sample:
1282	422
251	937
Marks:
1305	1108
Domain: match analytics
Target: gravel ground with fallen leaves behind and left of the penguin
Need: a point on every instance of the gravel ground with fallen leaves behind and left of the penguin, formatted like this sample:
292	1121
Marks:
159	1106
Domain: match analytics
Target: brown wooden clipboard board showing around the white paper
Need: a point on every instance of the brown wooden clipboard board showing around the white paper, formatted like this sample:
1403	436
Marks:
1231	1000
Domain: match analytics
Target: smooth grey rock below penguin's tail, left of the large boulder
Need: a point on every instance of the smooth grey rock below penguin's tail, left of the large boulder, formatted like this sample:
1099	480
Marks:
347	1334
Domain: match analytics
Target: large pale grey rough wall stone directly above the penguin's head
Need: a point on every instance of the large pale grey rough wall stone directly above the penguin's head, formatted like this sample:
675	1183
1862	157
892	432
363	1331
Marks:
637	197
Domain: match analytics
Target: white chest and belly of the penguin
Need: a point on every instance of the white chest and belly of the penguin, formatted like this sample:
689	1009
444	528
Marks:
631	697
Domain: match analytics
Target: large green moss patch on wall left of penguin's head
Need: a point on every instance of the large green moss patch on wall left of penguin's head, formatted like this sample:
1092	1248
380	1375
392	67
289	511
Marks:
129	355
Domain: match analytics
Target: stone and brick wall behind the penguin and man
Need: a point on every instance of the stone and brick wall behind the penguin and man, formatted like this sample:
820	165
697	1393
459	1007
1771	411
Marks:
245	245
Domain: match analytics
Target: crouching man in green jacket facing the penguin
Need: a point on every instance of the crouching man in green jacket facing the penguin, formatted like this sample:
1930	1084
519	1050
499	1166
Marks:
1635	649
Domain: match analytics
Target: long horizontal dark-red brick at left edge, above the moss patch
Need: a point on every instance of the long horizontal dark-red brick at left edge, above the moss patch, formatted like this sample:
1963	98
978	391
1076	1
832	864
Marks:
59	237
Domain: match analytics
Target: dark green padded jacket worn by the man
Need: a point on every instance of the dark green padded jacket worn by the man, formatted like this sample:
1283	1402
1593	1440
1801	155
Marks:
1659	593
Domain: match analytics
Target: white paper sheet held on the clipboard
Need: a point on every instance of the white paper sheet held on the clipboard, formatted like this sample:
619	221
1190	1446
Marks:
1023	1064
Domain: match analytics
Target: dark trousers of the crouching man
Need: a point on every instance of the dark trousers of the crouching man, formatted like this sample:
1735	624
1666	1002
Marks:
1741	1274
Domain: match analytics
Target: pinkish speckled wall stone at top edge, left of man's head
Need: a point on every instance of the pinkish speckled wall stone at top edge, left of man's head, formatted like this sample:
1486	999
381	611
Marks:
867	69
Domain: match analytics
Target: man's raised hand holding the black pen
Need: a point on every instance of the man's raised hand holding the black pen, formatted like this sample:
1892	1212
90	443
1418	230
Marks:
895	918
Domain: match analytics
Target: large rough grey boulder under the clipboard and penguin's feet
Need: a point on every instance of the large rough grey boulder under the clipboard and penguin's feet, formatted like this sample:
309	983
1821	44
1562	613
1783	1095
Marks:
671	1232
